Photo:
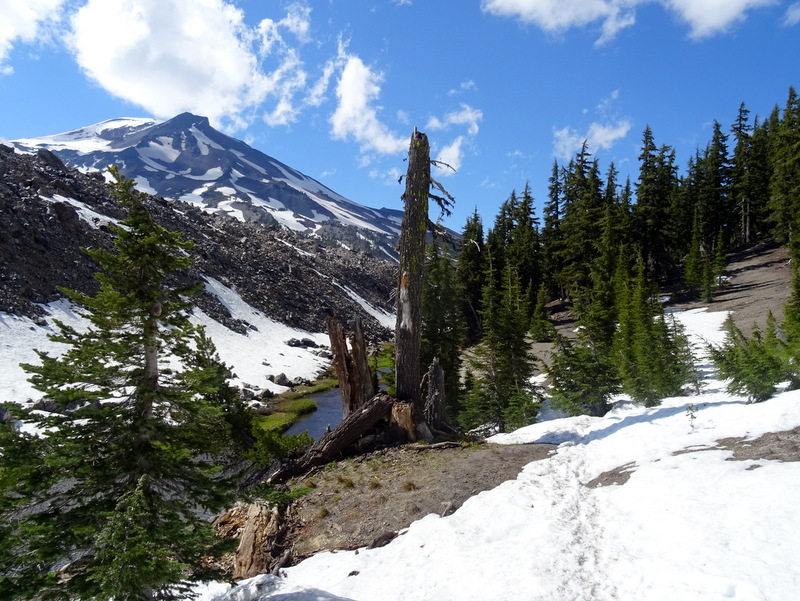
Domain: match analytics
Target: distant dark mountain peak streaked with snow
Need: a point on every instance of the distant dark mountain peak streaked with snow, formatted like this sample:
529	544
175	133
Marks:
186	159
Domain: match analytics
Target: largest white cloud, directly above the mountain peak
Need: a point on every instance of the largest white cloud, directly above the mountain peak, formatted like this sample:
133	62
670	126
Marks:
174	56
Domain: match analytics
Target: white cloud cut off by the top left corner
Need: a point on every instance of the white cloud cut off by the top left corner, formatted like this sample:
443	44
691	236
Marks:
25	21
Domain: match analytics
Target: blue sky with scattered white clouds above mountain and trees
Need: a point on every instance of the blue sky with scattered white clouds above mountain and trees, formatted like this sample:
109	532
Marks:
334	88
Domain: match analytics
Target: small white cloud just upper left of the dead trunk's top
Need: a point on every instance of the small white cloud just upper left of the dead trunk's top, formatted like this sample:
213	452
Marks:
356	116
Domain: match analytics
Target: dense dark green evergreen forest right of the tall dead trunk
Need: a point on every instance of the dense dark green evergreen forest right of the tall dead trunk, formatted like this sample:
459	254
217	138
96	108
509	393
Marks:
606	250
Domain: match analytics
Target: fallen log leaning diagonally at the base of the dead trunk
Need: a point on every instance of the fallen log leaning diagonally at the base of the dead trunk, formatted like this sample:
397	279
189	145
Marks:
333	444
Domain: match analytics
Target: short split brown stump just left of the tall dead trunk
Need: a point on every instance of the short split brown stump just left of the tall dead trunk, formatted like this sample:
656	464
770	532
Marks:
352	366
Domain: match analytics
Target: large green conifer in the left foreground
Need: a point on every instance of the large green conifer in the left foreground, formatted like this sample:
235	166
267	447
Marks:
106	499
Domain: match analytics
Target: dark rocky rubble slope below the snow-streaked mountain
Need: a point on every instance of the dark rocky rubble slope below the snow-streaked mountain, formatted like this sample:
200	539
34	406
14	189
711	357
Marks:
48	212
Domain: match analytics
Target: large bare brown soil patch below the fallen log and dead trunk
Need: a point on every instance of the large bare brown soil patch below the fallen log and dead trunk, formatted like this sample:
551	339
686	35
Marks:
363	501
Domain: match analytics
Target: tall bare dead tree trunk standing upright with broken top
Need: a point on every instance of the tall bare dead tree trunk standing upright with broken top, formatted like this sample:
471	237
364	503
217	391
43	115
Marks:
412	258
